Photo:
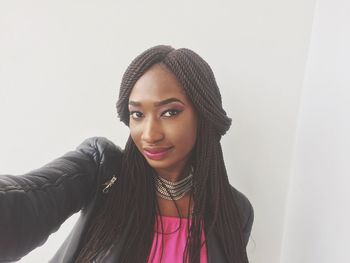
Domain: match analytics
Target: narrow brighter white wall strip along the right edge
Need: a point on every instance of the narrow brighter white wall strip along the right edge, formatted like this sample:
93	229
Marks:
317	228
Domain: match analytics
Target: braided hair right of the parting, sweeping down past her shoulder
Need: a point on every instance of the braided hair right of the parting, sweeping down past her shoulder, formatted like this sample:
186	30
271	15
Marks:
199	83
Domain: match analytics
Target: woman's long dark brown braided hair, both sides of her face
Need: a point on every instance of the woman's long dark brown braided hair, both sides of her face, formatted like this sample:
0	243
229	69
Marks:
214	208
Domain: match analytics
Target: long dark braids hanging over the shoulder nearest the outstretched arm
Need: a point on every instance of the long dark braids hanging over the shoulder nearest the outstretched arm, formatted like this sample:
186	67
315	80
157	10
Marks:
131	198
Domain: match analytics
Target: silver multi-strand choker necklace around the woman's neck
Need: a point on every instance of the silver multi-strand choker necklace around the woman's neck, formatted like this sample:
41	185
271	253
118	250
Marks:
173	190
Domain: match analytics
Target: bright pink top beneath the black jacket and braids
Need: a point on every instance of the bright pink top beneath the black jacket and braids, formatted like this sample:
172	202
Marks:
174	241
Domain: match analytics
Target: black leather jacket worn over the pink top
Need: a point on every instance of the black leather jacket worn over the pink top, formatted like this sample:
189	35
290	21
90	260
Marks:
34	205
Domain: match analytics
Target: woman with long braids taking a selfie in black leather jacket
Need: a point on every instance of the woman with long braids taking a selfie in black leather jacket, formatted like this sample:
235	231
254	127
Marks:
165	198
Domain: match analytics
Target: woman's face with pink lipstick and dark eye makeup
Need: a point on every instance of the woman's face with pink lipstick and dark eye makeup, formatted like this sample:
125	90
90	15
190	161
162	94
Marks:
163	122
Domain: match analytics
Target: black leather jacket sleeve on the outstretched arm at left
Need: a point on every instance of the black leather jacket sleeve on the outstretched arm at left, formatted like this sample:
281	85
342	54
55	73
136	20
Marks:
34	205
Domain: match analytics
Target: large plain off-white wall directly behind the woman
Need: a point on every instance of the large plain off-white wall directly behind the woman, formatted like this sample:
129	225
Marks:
61	63
